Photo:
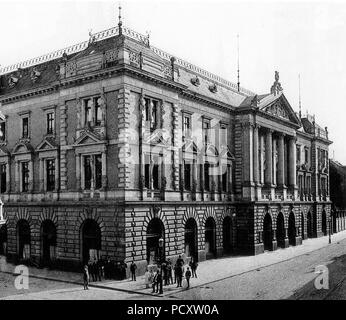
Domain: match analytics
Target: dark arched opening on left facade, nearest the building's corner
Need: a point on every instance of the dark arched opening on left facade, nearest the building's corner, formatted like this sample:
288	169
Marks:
91	240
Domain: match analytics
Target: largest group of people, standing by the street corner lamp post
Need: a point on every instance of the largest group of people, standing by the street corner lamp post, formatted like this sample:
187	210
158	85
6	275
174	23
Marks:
164	274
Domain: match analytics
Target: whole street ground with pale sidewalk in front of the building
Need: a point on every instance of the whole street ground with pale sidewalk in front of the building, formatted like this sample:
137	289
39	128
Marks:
283	274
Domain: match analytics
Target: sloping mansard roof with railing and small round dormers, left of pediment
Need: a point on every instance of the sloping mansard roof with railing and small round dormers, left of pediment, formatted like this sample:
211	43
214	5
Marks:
33	74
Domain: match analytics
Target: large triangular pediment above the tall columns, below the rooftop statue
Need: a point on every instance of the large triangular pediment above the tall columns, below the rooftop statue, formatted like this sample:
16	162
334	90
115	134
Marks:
279	107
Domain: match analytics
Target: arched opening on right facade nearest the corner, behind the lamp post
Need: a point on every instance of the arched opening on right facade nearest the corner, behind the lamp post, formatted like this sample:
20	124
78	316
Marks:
155	231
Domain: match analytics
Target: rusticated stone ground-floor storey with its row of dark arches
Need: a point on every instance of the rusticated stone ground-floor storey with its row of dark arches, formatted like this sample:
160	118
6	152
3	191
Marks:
200	236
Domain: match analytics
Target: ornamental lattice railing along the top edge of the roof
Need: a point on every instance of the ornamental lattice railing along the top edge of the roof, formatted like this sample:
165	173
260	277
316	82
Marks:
134	35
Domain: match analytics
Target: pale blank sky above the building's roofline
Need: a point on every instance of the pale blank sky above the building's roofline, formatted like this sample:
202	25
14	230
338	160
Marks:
306	38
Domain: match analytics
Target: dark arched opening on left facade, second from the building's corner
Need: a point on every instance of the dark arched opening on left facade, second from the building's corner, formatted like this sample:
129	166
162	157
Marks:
48	241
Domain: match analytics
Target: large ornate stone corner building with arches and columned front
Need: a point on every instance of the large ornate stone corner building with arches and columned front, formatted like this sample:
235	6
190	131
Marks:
114	148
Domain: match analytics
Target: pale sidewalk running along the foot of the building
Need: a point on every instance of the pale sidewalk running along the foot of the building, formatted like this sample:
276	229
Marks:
208	271
